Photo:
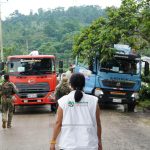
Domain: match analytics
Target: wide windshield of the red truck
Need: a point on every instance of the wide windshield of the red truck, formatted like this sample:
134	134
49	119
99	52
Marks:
31	66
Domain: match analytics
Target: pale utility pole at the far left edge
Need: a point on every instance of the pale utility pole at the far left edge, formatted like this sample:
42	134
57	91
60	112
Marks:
1	38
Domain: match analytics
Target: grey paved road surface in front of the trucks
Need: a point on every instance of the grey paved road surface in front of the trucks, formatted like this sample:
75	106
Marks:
32	128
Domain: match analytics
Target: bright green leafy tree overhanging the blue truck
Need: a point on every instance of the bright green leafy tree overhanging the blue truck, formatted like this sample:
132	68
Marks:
129	24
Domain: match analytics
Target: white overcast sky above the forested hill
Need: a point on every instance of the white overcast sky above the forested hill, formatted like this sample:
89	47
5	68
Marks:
24	6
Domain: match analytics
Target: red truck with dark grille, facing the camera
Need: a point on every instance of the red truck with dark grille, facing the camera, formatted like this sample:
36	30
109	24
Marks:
34	77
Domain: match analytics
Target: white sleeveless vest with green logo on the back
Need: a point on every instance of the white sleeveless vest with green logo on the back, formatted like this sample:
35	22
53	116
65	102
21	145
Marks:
79	127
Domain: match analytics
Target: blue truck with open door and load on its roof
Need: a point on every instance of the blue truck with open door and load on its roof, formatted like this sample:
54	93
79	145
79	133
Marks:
117	80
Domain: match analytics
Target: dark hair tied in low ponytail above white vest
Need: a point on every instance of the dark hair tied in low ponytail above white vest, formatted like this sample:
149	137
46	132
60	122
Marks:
77	82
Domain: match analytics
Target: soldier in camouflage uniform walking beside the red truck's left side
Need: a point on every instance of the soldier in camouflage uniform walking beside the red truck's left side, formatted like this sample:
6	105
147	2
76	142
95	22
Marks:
7	91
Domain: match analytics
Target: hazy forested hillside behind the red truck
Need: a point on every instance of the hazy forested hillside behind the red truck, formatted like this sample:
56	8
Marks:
50	32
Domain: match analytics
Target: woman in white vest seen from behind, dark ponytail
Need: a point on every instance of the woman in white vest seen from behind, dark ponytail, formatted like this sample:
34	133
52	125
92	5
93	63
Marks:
78	119
